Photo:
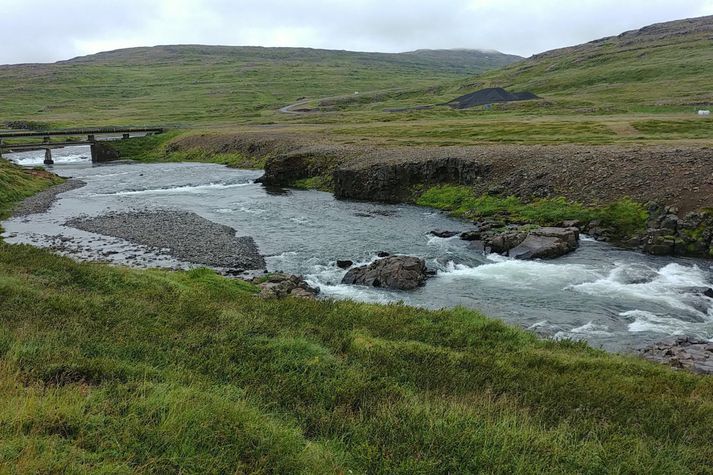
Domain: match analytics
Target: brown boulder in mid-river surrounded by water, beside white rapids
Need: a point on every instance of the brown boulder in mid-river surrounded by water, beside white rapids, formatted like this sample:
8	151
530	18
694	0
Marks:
395	272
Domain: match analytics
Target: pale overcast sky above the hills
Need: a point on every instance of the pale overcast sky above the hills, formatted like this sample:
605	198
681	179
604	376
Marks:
50	30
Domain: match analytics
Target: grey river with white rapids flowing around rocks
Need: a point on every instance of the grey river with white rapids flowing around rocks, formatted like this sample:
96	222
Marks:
613	298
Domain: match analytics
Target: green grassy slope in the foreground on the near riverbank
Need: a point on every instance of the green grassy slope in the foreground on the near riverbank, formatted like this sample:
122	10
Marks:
112	370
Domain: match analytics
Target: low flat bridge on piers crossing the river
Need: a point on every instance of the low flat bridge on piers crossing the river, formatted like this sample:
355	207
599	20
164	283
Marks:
93	135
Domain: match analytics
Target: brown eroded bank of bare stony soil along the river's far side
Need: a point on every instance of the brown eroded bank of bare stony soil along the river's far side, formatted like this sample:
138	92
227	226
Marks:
673	184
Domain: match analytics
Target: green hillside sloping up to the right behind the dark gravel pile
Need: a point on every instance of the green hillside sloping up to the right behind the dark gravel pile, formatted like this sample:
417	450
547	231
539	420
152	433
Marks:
660	68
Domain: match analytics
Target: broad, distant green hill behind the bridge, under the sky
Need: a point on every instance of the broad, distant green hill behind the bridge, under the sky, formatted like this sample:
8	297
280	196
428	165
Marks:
214	84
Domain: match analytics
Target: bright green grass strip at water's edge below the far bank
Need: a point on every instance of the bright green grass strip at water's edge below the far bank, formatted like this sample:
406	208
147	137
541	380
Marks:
625	216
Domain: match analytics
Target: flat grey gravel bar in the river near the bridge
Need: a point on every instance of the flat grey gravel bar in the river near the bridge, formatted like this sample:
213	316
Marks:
183	235
